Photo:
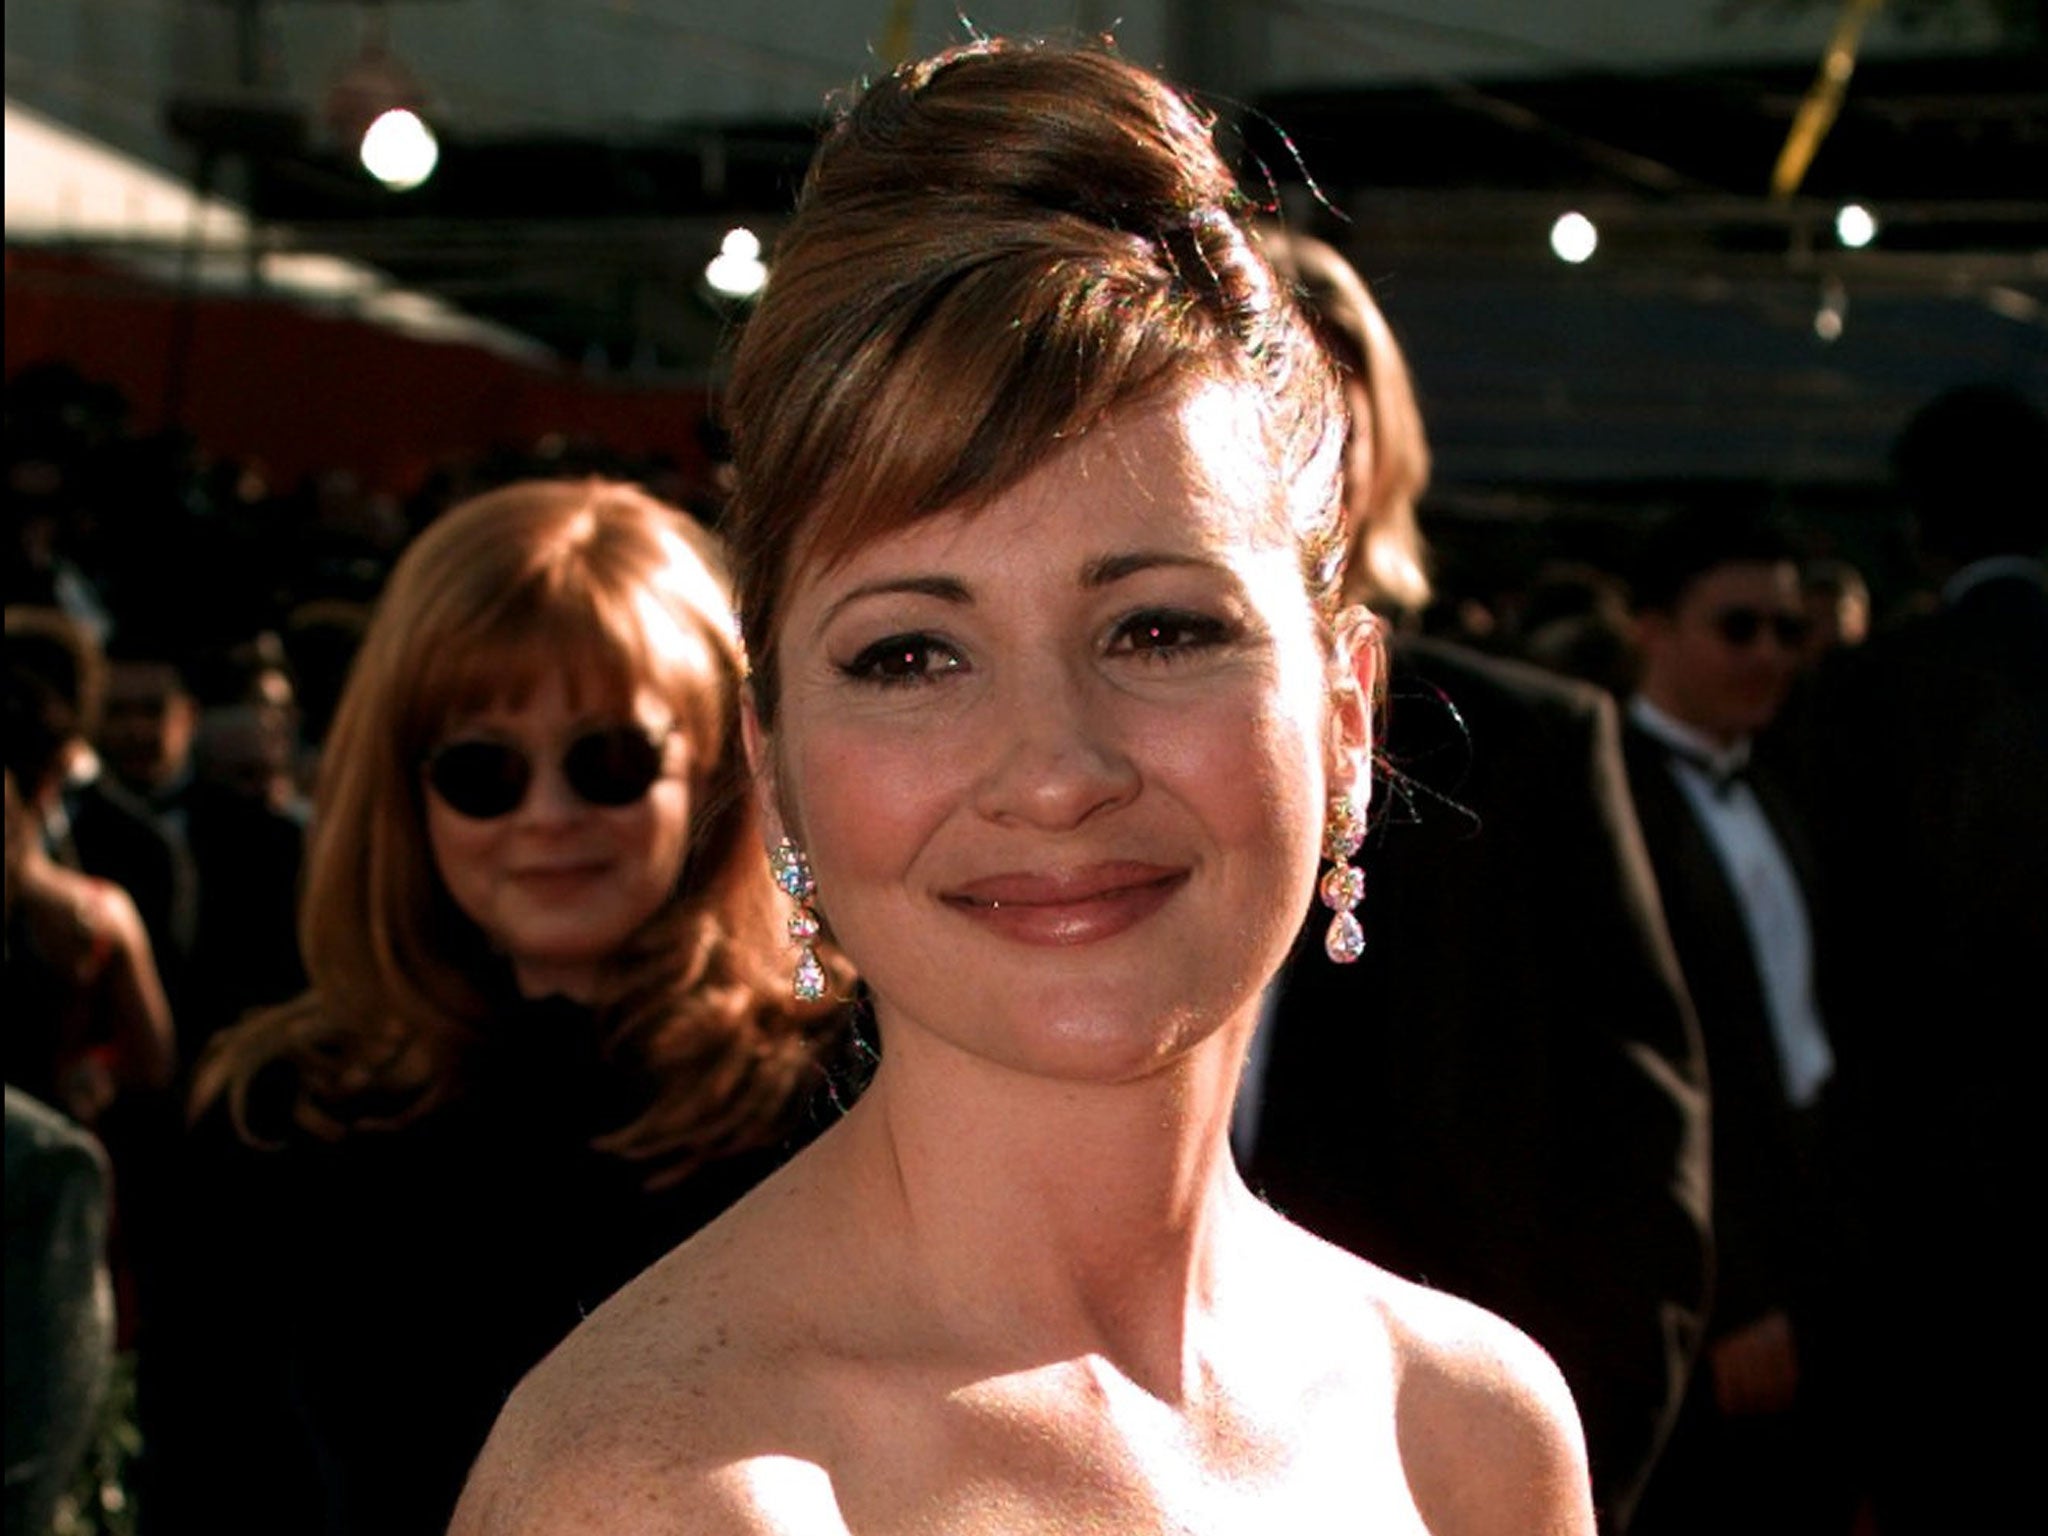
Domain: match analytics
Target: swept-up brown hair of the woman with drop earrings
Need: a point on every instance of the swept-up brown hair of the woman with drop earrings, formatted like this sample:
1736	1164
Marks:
994	251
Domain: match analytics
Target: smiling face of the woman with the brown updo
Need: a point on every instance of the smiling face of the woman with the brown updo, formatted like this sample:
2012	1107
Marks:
1062	763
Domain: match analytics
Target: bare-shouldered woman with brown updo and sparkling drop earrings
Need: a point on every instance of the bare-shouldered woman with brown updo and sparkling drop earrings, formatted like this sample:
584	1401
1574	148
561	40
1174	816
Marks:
1054	708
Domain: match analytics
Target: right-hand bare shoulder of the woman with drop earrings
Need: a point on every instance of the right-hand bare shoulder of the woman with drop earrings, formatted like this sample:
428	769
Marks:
1490	1435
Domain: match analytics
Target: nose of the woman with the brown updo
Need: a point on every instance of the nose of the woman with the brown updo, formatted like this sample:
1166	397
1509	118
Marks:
1056	753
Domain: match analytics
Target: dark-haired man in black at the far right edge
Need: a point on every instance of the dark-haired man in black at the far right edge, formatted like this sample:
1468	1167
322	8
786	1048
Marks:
1932	749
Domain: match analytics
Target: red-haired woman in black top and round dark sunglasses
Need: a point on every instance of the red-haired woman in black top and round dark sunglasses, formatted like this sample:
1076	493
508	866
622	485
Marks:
550	1027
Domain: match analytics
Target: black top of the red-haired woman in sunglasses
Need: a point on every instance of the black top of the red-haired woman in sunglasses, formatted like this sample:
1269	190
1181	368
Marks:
343	1322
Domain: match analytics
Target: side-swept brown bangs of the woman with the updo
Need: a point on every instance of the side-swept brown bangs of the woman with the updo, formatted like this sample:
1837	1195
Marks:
933	409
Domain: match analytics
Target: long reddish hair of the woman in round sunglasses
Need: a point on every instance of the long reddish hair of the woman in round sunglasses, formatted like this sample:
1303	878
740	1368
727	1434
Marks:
501	591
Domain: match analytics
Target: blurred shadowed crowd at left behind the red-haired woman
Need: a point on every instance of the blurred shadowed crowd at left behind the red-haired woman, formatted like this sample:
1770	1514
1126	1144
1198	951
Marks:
179	640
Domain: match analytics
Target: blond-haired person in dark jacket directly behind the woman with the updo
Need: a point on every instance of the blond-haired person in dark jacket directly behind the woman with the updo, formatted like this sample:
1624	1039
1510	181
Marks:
1504	1097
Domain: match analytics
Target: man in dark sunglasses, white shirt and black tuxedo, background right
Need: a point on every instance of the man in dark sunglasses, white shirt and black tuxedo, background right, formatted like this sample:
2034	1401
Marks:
1719	630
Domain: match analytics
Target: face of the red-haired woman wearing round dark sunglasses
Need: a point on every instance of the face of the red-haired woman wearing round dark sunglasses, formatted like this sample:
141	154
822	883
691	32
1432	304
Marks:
558	884
